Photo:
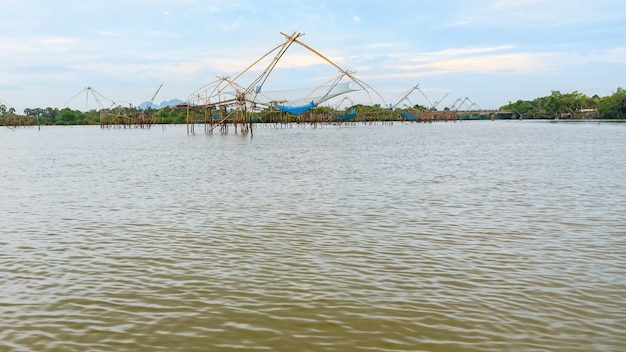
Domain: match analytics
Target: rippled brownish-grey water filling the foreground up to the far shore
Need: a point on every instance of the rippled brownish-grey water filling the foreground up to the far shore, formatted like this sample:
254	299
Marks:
473	236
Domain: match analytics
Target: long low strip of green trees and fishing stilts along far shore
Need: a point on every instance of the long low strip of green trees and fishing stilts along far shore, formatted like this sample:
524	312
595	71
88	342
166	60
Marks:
572	106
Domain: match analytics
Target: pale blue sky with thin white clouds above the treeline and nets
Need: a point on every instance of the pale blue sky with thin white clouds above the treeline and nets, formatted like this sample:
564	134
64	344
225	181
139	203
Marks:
487	52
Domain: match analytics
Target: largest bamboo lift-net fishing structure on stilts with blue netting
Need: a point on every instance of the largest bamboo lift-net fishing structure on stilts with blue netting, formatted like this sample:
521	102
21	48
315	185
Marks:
231	102
